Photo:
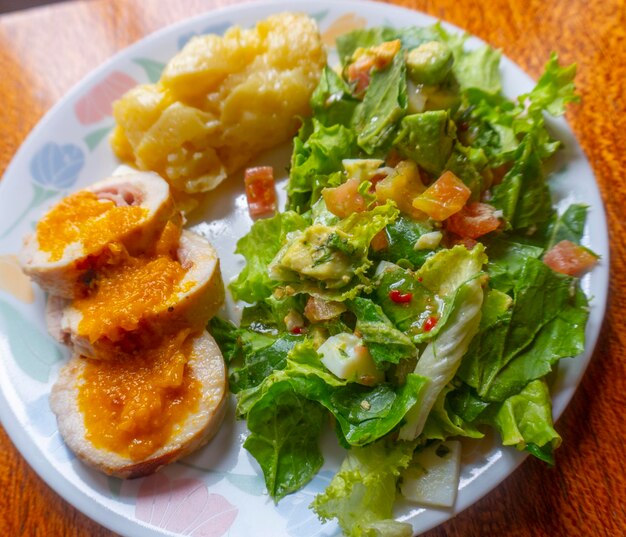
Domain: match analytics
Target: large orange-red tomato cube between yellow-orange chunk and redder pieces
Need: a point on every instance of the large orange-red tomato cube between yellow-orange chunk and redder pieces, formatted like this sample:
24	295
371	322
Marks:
446	196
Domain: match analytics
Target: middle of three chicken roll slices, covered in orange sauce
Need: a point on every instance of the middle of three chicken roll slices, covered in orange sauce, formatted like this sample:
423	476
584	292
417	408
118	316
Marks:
132	305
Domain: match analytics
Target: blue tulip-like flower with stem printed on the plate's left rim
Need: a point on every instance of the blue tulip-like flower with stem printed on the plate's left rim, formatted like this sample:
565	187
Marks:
53	168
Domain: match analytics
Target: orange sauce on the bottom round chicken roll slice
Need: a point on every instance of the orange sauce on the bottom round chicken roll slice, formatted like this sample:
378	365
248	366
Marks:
132	405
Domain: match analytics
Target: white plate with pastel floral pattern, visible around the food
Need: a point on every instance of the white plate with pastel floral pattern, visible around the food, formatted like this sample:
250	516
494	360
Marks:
219	490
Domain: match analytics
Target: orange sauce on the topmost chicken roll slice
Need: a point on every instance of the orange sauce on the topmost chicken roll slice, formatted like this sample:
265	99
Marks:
83	218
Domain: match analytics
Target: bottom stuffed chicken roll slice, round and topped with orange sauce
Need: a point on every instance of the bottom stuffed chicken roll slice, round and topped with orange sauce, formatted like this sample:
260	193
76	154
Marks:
130	416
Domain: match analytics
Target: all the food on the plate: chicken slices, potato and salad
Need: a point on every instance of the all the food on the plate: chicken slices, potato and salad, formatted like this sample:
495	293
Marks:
419	287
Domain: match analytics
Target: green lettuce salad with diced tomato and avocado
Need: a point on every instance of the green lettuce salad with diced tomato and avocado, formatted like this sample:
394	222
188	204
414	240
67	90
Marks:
419	287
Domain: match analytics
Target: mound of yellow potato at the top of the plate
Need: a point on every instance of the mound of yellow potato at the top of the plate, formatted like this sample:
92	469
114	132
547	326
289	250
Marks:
221	101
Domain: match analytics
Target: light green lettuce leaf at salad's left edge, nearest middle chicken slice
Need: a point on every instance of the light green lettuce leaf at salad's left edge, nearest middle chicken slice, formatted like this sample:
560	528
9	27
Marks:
259	247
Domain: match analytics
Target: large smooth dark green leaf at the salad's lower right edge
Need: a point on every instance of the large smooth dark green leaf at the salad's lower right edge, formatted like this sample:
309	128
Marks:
545	323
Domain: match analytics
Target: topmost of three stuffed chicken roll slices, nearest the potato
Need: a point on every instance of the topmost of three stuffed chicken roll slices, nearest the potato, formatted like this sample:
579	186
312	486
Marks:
96	227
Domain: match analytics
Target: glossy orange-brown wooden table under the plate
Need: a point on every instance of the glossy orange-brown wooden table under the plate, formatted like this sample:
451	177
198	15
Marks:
45	51
